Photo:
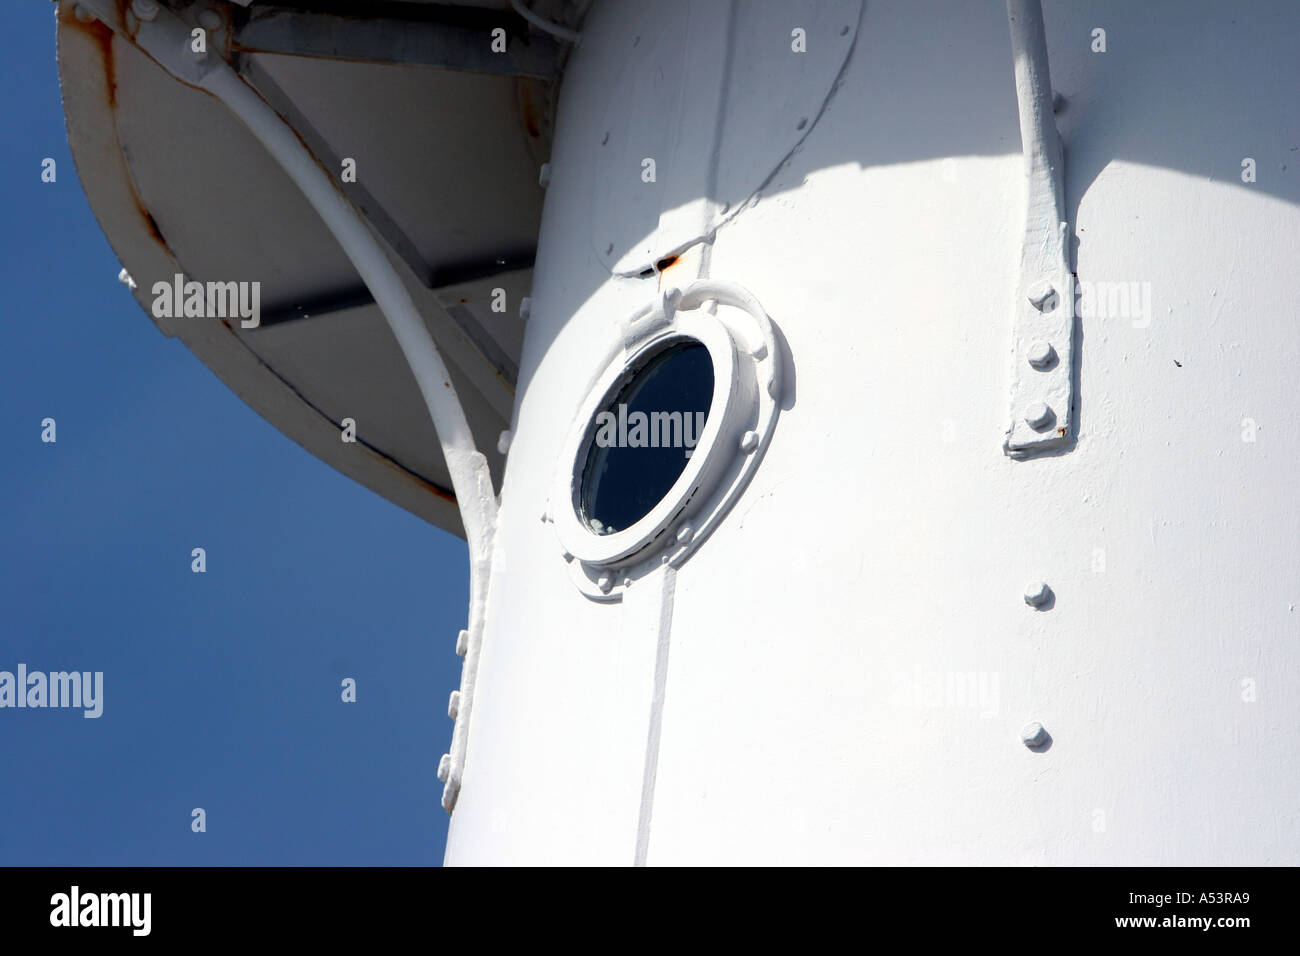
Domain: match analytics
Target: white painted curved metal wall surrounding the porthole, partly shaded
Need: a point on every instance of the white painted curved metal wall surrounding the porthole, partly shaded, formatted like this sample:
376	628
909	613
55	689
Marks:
843	672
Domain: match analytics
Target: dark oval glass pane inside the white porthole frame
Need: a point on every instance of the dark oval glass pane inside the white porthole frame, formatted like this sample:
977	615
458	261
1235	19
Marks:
643	442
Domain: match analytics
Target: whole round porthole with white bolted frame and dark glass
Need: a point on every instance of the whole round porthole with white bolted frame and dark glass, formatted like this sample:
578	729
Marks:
668	436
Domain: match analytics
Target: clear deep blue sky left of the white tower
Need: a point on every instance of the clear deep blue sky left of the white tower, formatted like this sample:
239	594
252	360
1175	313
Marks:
220	690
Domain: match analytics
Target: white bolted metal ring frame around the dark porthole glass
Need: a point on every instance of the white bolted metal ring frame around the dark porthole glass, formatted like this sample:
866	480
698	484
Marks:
742	418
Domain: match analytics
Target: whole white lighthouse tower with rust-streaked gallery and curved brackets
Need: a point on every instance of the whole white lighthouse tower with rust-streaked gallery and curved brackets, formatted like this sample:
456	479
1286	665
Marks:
874	425
